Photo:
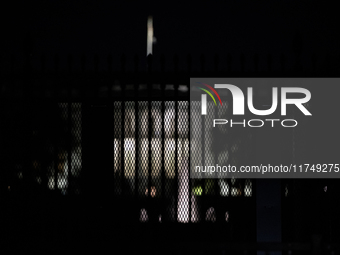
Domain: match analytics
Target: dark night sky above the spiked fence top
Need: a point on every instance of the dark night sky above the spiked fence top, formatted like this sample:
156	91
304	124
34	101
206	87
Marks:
209	27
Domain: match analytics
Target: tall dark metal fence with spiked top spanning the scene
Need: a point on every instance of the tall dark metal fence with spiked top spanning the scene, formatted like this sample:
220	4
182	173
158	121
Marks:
120	139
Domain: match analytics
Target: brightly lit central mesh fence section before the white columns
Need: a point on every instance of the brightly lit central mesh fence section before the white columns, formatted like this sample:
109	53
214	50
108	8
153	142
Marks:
153	160
